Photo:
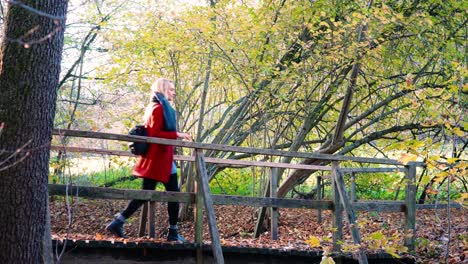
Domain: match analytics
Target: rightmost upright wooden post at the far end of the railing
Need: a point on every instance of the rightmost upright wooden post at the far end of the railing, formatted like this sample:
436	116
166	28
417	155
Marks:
410	208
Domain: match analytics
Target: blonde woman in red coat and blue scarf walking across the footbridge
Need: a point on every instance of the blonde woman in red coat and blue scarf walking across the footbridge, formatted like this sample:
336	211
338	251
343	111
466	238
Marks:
158	164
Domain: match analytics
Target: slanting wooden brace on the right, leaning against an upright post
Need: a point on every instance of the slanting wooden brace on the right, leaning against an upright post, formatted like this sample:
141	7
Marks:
338	177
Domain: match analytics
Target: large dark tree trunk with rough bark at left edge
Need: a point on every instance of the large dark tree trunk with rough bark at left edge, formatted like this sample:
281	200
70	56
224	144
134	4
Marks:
29	72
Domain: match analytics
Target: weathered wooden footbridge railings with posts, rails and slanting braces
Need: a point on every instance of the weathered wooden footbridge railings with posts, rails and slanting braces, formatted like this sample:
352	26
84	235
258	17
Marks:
343	201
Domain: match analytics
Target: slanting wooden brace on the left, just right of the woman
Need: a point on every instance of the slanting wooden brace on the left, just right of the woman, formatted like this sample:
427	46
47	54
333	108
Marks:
205	189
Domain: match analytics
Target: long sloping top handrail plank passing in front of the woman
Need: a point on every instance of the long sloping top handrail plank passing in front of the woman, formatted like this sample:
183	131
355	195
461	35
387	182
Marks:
219	147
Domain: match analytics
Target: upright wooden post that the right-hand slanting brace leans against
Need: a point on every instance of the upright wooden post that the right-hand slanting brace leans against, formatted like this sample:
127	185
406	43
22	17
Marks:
337	211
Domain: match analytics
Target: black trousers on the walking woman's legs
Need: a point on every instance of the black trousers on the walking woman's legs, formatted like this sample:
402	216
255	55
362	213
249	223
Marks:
149	184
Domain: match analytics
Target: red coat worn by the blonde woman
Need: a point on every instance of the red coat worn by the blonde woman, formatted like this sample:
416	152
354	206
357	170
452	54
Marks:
157	163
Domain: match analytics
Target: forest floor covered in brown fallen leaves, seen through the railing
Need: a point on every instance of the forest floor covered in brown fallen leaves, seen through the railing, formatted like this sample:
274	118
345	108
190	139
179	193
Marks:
236	225
